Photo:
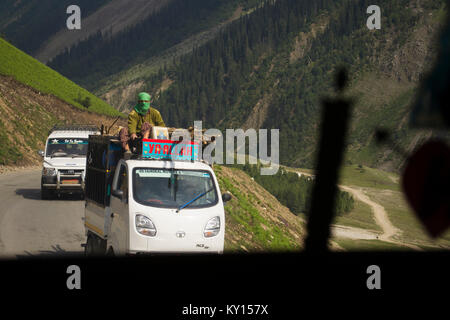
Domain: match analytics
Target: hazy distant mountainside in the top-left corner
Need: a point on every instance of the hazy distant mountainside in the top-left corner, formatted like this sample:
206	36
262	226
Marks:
38	27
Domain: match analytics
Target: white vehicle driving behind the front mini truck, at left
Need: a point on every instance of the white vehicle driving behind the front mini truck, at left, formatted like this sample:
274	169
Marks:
64	160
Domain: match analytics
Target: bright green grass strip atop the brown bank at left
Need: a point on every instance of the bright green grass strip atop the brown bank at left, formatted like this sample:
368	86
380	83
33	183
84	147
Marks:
33	73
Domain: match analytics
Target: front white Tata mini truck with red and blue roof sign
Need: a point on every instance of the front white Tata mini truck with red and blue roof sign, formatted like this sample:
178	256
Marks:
145	205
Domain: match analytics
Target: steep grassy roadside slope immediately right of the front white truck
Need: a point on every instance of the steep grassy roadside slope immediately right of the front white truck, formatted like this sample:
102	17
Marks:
255	220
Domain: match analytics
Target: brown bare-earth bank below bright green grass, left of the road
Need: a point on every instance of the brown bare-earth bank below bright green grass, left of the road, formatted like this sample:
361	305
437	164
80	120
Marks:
26	116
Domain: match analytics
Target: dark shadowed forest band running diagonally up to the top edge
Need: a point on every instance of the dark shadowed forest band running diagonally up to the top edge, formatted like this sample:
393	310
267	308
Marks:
102	55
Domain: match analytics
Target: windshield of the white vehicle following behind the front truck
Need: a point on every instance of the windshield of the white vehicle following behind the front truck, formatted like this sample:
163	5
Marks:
67	147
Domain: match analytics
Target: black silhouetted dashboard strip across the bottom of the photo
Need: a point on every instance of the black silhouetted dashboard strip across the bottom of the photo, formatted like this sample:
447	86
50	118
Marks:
286	282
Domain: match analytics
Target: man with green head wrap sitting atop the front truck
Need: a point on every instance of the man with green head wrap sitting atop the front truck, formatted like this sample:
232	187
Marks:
140	122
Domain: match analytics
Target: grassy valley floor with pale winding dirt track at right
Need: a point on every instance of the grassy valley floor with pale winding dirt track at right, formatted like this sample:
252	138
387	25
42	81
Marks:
382	188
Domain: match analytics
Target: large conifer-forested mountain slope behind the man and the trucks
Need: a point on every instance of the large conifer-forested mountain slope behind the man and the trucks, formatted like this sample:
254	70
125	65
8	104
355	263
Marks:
270	68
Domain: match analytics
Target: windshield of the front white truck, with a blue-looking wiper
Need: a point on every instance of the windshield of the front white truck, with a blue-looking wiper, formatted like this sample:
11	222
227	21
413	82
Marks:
171	188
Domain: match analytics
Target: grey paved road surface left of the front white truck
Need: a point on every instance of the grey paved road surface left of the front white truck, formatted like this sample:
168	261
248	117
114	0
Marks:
30	226
